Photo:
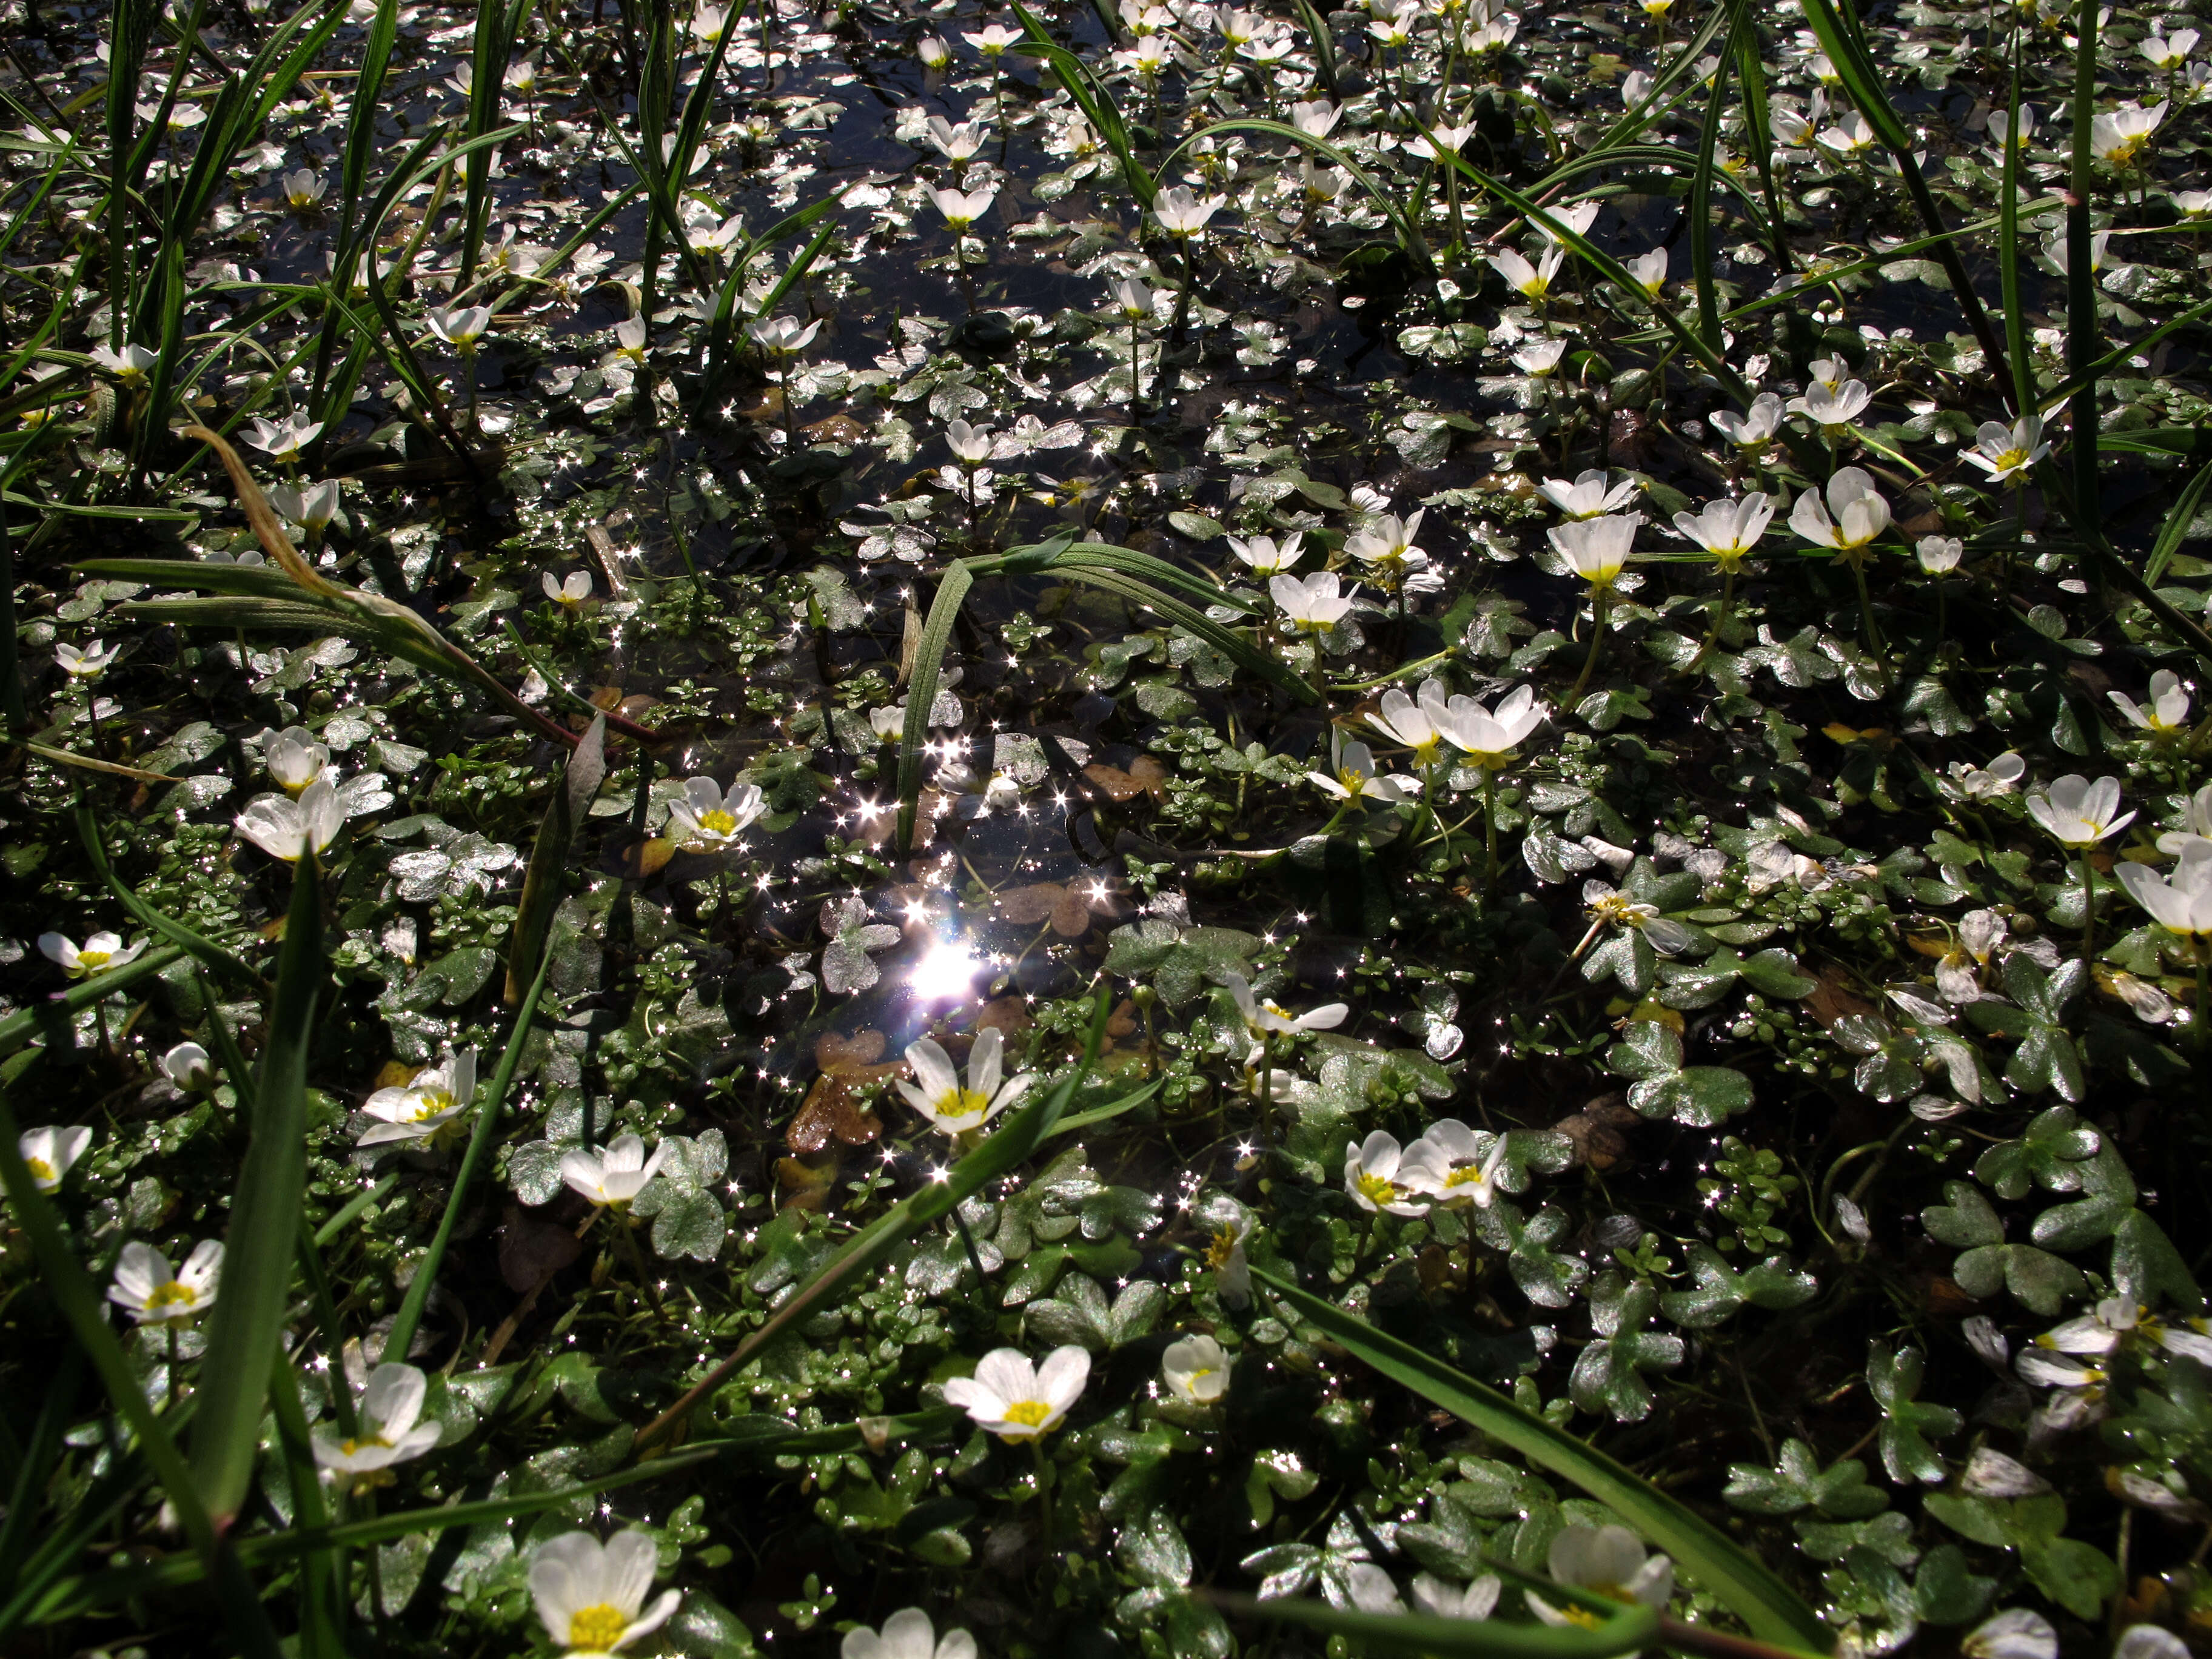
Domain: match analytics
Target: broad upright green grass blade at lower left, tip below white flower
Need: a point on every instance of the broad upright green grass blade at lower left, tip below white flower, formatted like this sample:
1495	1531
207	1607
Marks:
260	1246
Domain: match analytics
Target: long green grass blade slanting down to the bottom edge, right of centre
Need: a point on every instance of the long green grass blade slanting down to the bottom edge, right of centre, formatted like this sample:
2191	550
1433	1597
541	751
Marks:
1768	1607
